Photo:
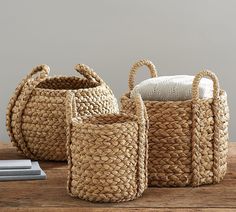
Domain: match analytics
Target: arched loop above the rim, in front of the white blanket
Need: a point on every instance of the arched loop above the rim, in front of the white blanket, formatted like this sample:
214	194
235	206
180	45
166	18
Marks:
197	79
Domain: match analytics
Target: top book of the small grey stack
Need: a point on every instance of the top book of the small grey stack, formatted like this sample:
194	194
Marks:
15	164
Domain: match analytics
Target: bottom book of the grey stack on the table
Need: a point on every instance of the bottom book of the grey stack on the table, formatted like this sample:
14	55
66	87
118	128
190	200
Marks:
41	176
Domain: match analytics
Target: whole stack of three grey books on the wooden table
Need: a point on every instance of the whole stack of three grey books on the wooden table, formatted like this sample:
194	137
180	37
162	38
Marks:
20	170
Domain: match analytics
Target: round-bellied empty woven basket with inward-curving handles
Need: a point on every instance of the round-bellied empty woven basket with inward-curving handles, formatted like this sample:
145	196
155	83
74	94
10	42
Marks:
36	115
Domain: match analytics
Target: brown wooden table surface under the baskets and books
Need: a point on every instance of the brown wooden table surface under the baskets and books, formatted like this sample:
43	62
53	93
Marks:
51	194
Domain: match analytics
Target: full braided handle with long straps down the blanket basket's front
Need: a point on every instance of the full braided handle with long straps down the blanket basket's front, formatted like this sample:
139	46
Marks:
196	136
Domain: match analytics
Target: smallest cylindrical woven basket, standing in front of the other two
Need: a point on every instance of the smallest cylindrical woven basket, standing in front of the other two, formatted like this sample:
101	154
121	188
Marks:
107	155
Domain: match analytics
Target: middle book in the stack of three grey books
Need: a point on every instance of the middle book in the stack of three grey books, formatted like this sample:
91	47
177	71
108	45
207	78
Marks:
34	170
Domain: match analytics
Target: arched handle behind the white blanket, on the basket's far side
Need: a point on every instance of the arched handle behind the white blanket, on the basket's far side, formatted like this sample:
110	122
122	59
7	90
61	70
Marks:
136	66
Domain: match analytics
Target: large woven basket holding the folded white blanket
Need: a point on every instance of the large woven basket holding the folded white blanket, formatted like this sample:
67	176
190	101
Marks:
187	139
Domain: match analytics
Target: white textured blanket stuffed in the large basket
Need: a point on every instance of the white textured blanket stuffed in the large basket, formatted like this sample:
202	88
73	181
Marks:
172	88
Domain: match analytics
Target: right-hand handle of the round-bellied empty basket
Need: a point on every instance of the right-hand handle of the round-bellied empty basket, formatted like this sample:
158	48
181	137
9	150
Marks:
88	73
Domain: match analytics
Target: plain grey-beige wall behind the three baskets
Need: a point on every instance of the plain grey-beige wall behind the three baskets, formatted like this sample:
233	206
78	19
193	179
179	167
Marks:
180	37
